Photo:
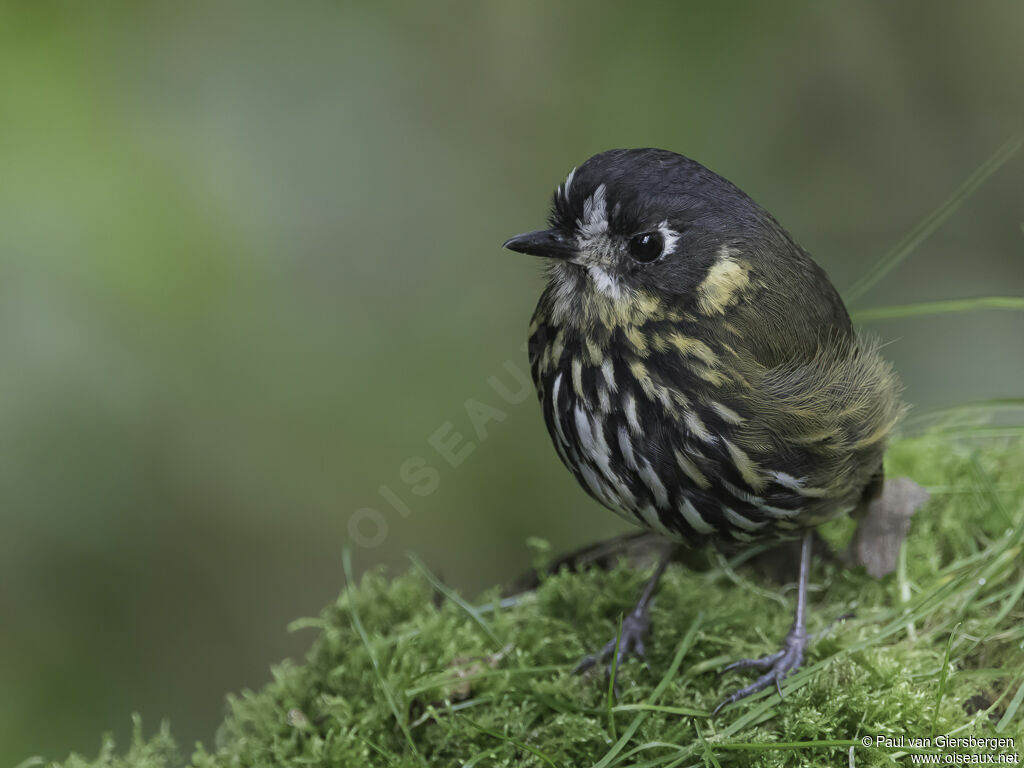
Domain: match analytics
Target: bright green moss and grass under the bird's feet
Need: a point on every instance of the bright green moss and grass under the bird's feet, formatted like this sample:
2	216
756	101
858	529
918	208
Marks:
397	677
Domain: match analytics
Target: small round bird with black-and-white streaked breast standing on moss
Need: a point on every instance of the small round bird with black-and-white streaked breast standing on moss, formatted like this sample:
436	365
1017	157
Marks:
700	374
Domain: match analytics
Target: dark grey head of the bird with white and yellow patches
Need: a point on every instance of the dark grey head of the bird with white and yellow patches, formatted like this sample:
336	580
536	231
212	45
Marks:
632	226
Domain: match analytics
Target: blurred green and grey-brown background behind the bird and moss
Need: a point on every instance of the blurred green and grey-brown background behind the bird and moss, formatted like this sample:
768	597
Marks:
250	263
